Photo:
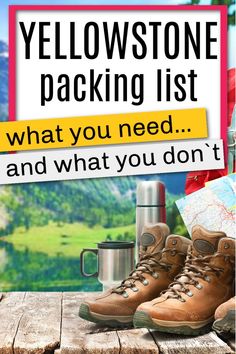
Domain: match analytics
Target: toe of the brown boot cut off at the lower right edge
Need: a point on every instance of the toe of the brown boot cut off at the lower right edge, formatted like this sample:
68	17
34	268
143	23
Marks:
225	317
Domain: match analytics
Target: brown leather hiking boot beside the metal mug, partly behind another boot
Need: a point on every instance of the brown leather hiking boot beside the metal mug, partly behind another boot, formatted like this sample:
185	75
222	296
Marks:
161	258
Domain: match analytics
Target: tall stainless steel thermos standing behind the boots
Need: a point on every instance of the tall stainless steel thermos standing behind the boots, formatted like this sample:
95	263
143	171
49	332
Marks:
150	206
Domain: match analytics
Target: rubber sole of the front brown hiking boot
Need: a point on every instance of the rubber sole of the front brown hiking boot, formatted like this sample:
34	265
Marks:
142	319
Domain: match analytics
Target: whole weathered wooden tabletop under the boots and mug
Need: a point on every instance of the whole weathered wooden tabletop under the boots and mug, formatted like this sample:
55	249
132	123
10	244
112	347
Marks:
48	323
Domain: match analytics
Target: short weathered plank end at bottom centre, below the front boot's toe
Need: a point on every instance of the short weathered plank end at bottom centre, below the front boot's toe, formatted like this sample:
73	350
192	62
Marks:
137	341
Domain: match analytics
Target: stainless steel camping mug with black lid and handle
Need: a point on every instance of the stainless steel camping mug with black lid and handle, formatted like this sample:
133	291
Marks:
115	260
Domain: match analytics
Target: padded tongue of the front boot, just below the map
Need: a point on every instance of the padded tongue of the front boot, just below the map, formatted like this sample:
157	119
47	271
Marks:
205	242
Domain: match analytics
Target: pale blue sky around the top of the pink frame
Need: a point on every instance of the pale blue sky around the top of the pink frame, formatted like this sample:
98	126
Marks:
4	14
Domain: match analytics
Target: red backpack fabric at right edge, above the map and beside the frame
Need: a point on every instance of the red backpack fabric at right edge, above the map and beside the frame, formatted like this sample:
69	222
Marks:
196	180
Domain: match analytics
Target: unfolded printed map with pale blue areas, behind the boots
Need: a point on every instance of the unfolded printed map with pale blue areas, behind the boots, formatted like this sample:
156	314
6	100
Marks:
213	206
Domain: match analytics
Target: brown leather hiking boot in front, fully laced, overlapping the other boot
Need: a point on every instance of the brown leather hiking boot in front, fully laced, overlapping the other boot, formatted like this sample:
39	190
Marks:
188	305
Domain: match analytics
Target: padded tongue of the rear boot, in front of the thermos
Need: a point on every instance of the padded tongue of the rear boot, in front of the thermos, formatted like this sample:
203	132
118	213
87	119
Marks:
153	238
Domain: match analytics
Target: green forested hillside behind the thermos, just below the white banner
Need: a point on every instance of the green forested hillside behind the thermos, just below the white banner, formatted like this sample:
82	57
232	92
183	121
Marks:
108	202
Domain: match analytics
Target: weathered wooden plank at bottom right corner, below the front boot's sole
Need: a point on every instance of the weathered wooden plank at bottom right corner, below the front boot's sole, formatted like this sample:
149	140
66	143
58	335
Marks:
208	343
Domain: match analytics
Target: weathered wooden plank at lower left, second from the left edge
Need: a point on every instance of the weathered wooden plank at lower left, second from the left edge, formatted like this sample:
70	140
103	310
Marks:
40	326
